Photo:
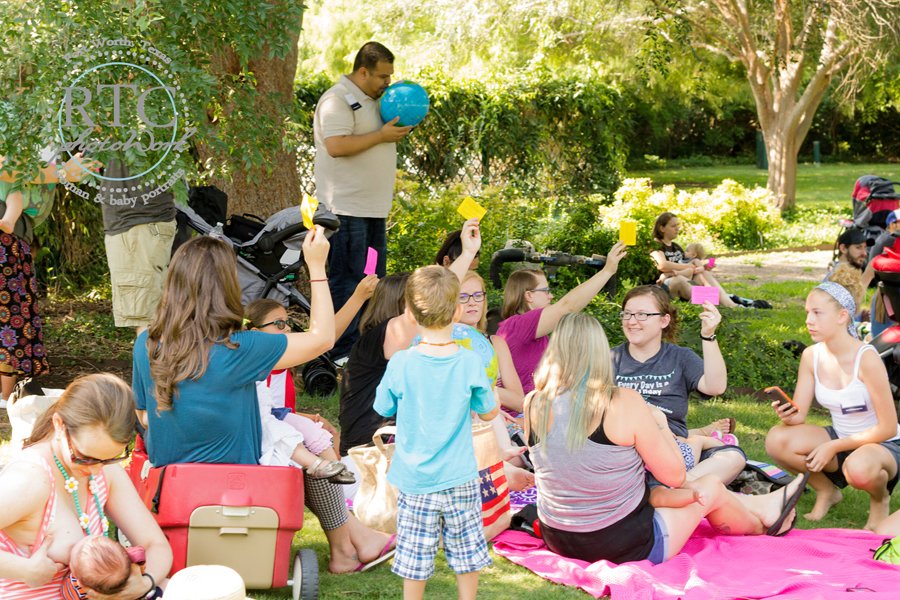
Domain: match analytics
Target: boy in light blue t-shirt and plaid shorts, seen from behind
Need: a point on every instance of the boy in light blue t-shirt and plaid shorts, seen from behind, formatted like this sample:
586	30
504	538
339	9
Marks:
432	388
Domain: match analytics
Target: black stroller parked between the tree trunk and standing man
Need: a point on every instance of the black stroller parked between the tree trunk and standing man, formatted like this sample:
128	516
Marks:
268	257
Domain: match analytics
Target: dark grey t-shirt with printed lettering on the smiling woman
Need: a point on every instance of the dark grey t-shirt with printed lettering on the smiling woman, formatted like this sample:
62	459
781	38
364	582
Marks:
665	380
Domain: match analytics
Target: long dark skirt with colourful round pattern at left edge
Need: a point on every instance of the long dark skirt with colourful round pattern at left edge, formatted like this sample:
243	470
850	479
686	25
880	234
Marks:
22	349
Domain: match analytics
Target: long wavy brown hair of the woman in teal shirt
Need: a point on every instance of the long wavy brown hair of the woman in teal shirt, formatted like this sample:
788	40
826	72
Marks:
200	306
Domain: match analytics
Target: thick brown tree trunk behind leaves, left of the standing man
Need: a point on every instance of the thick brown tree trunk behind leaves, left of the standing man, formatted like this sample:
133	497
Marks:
268	188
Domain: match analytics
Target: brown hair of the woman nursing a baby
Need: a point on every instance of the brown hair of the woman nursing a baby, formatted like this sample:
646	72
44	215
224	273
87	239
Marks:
98	399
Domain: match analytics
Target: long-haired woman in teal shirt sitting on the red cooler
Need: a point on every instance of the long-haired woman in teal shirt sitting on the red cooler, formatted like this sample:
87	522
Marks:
195	373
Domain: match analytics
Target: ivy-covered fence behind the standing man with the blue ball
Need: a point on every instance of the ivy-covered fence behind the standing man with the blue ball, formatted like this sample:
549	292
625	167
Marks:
542	135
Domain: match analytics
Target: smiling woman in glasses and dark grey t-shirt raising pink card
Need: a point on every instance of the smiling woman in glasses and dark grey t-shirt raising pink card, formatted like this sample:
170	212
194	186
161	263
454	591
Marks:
665	374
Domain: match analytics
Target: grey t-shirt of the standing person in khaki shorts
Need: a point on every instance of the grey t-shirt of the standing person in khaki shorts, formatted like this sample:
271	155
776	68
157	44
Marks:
124	210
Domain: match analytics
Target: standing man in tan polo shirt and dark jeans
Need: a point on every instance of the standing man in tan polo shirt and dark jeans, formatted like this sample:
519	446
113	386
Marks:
356	162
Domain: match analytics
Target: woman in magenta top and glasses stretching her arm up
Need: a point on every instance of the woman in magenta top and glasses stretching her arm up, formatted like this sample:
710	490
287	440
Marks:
530	315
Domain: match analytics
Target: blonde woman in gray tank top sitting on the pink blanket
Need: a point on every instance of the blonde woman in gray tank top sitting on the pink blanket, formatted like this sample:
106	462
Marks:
592	443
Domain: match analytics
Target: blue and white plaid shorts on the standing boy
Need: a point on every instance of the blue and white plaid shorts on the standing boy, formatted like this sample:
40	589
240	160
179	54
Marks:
422	518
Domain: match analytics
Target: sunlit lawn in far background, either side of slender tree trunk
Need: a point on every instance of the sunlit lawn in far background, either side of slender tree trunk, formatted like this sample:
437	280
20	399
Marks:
826	186
